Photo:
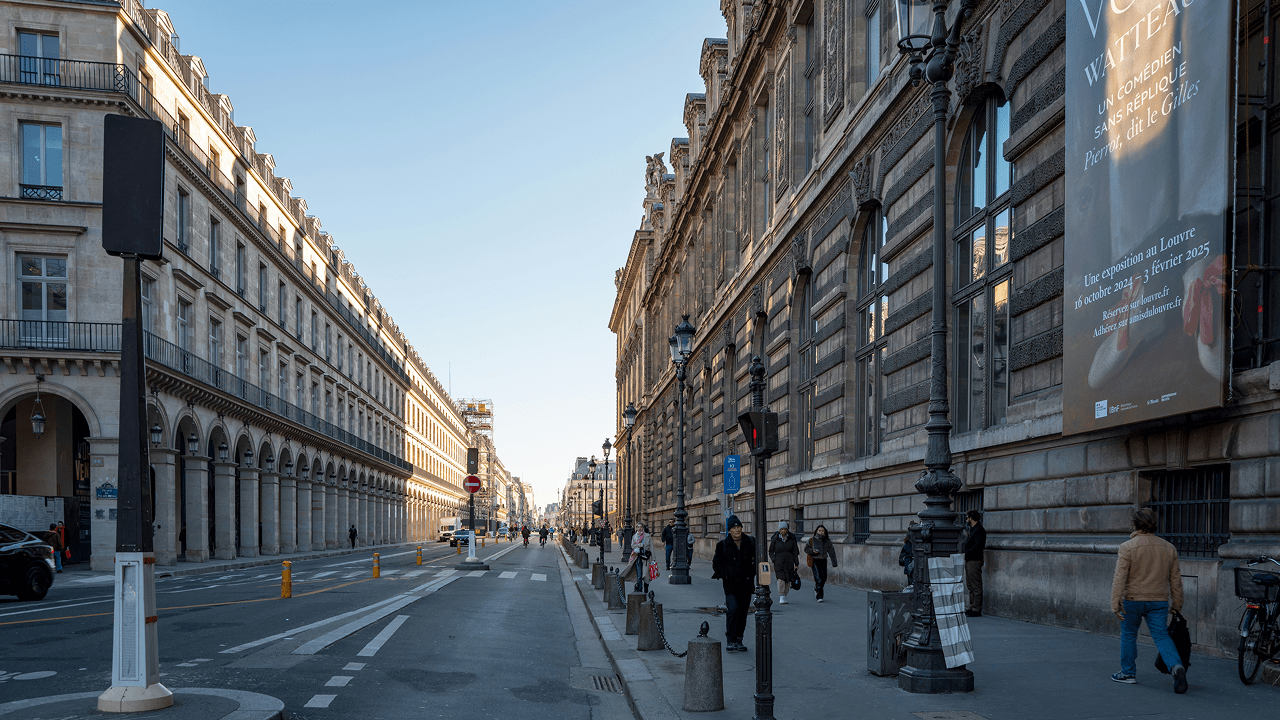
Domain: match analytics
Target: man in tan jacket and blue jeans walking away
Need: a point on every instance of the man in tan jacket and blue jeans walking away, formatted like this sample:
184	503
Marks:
1148	585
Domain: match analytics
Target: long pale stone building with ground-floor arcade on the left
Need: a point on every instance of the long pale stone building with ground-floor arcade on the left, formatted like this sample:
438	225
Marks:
287	403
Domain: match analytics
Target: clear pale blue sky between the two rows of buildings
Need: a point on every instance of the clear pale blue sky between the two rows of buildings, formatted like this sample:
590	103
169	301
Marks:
482	165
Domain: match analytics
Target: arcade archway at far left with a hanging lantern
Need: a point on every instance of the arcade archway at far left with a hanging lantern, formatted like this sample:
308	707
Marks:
54	466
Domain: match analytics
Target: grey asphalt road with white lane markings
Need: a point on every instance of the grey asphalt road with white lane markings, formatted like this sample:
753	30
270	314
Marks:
419	642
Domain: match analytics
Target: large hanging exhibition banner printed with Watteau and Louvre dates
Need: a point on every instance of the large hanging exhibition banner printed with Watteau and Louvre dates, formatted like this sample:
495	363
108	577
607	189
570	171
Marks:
1149	162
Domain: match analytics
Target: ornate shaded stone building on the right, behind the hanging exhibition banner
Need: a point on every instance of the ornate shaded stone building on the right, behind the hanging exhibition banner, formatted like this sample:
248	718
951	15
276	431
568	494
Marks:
796	224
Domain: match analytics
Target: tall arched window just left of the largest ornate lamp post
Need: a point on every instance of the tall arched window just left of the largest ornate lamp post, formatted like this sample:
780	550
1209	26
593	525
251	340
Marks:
872	311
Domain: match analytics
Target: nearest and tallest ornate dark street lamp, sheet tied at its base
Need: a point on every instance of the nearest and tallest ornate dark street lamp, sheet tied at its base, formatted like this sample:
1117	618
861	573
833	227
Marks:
936	535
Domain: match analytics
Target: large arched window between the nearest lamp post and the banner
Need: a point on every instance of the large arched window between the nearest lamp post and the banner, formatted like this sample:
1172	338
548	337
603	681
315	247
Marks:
984	234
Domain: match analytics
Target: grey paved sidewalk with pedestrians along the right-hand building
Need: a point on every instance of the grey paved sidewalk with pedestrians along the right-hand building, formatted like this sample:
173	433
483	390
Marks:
1022	672
